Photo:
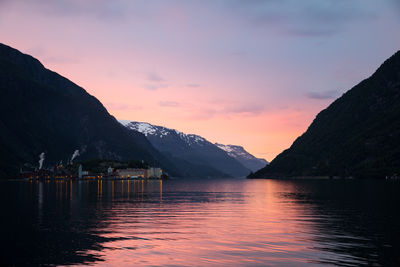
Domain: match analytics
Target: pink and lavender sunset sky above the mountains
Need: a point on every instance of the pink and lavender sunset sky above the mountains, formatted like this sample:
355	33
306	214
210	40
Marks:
246	72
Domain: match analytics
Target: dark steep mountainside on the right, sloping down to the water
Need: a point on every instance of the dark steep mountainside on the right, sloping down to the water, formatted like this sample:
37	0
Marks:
357	135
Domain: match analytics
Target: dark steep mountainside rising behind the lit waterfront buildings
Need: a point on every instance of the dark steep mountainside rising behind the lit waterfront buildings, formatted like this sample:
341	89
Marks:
42	111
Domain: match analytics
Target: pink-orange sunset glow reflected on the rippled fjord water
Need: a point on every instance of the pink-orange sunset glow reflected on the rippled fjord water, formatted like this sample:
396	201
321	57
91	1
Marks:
230	223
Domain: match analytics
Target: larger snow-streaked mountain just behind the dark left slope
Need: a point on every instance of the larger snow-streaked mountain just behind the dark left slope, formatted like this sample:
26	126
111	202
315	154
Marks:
192	154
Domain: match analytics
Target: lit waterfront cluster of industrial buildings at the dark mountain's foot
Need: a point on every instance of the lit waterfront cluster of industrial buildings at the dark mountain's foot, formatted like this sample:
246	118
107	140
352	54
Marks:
95	169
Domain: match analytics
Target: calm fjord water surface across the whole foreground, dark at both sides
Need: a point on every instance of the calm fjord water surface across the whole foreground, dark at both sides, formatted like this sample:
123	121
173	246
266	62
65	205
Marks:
201	223
